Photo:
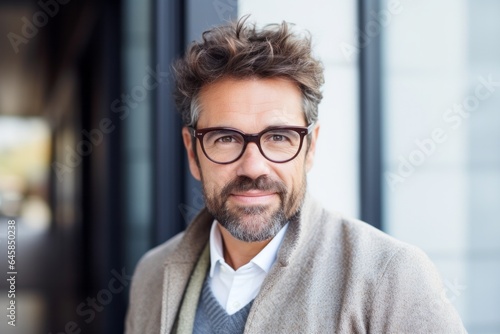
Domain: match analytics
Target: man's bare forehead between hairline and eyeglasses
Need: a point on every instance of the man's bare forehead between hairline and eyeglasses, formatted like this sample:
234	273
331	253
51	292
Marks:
250	104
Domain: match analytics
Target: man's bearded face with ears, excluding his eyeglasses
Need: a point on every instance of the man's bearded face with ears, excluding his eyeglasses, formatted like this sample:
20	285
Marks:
252	197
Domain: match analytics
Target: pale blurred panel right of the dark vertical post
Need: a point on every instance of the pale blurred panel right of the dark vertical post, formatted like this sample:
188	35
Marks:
442	158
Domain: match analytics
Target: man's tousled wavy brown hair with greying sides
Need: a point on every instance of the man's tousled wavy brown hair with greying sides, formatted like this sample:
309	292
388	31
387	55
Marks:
240	50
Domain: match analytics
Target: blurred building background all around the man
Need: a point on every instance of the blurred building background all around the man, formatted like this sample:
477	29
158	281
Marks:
92	167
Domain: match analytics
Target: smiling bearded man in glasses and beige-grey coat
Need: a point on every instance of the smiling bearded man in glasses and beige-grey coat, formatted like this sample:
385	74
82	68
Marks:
263	256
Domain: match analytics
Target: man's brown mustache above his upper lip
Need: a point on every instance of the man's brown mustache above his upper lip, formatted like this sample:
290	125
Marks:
244	183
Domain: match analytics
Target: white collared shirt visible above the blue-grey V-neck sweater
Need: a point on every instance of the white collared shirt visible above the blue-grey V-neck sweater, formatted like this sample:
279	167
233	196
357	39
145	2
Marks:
235	289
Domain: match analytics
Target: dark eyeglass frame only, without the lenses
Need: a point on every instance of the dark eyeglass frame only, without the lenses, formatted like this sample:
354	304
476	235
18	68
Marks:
252	138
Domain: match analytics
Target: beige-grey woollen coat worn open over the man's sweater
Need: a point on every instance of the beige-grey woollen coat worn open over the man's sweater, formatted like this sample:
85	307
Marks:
332	275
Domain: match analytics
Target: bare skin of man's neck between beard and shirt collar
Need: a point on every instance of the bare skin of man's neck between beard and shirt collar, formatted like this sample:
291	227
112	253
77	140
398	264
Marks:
237	253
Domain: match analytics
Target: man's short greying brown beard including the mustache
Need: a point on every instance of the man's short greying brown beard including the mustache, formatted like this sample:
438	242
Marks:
255	222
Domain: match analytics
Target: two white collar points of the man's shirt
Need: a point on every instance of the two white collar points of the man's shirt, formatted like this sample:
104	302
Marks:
264	259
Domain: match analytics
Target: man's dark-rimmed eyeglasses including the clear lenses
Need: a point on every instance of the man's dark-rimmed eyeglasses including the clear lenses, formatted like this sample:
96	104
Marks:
226	145
